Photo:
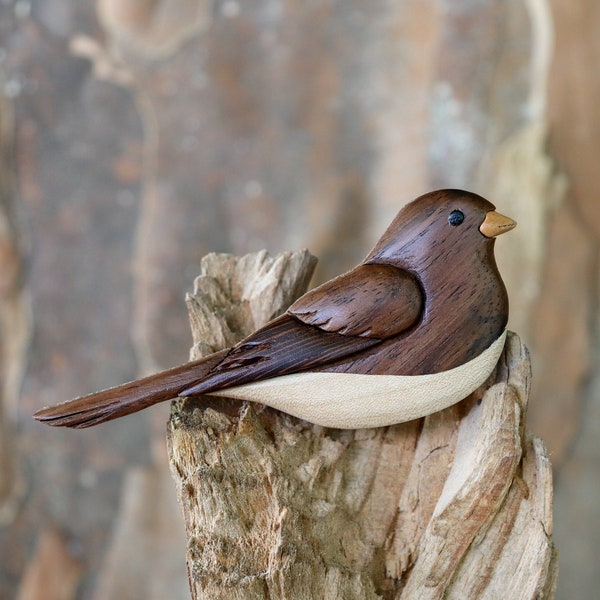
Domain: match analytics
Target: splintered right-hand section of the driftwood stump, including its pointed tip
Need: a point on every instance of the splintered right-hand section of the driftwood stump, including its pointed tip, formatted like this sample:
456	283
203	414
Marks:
493	520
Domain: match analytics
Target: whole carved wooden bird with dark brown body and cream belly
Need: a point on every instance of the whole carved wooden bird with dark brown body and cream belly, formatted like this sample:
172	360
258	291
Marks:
418	325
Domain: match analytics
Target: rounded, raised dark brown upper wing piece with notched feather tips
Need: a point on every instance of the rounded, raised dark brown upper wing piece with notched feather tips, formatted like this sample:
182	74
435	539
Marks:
374	301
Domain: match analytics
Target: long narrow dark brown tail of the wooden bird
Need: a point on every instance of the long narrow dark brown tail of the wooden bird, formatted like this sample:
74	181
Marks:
127	398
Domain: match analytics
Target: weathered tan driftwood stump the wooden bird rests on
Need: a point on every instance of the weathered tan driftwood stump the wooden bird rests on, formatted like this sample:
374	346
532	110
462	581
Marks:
455	505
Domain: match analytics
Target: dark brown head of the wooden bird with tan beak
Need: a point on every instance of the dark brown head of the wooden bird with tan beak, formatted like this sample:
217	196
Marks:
440	223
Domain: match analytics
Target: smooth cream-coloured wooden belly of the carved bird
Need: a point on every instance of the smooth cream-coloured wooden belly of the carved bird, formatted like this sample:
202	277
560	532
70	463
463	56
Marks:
353	401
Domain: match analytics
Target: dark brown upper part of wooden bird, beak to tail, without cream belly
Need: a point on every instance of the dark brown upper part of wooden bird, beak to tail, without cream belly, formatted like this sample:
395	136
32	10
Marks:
426	299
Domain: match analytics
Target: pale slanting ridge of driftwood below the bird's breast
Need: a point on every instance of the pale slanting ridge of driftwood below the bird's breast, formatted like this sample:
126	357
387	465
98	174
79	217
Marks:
486	456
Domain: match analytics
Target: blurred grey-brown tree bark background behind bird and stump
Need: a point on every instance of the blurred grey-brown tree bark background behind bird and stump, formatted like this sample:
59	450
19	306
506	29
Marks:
136	136
